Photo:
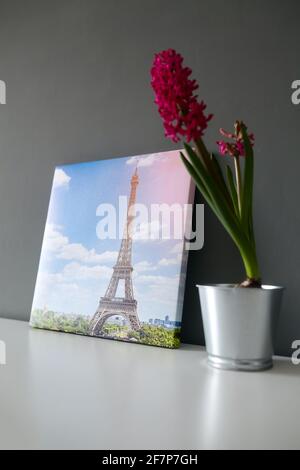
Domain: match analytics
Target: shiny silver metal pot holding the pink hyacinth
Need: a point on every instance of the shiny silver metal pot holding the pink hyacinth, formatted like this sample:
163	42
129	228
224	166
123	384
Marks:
239	325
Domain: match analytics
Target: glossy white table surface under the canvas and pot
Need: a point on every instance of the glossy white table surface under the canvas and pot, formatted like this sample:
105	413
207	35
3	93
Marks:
61	391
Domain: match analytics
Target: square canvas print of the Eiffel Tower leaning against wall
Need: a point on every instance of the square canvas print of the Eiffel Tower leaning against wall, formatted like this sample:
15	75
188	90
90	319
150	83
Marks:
113	258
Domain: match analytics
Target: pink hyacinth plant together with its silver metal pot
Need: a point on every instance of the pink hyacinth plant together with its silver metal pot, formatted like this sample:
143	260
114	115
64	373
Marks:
239	319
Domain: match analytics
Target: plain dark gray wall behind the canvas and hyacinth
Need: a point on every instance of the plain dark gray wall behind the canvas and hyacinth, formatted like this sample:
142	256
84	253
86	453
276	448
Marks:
77	74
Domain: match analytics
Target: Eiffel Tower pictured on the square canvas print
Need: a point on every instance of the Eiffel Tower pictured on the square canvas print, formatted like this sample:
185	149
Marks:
111	305
